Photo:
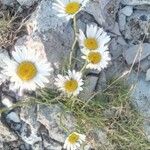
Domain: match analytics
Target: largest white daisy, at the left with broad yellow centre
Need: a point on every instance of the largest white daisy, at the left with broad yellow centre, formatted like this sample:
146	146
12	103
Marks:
27	70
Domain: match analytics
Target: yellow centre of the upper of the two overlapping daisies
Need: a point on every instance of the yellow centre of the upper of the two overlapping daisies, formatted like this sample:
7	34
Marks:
91	43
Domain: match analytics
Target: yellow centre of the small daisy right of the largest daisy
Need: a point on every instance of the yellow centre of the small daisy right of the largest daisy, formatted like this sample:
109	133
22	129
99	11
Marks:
71	85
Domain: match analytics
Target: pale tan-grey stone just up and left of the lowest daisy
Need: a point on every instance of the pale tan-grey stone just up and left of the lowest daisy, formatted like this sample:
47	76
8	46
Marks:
52	118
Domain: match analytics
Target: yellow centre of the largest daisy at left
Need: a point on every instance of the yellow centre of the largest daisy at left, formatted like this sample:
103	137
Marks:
26	70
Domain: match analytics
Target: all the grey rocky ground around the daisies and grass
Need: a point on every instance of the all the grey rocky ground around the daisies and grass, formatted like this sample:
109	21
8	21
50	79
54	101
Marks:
128	24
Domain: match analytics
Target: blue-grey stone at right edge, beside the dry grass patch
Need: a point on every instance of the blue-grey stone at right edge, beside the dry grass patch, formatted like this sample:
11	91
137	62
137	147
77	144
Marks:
141	93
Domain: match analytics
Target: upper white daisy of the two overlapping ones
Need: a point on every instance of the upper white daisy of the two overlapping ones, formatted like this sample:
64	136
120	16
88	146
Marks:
95	39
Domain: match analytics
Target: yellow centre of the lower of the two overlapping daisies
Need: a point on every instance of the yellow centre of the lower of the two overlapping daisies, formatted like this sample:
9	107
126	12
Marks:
94	57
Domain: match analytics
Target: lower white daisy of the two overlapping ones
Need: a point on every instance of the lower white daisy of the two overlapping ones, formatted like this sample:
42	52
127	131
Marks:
97	59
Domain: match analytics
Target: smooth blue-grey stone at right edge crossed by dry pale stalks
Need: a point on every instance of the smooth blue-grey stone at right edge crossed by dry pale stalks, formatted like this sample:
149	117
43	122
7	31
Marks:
138	52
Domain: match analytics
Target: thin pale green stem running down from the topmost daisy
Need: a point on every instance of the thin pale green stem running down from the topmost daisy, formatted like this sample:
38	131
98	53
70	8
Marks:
75	41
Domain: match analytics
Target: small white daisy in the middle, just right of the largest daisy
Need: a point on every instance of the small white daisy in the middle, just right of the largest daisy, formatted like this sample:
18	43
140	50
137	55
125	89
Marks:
70	84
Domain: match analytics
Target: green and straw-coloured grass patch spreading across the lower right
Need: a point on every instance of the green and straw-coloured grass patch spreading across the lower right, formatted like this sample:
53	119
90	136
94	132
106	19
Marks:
110	110
